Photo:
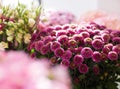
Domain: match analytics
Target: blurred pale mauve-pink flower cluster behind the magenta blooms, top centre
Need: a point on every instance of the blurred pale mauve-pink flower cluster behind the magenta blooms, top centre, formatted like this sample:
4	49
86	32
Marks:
51	18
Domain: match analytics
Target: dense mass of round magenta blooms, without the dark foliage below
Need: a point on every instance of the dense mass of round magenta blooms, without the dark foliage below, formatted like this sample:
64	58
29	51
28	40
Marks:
74	45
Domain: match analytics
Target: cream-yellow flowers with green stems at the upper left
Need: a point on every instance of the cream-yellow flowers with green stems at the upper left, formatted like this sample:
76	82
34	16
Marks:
16	25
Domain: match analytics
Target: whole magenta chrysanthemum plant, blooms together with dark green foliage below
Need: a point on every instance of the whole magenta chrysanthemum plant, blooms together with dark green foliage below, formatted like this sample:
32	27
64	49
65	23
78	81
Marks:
90	52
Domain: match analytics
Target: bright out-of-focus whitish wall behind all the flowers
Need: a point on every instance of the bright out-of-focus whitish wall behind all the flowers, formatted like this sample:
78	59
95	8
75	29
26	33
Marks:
75	6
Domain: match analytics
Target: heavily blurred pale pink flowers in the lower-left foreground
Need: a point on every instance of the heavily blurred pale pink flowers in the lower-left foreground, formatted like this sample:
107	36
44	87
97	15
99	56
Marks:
18	71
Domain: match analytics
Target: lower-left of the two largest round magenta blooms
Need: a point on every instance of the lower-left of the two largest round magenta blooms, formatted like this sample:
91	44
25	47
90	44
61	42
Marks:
86	52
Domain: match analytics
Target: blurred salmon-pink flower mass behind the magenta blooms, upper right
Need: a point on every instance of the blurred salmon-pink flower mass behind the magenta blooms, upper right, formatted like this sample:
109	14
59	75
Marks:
102	18
